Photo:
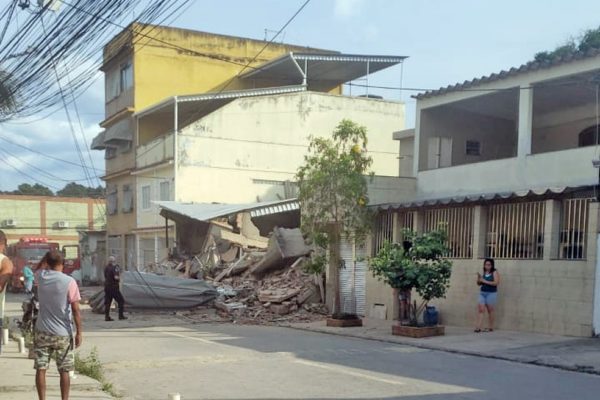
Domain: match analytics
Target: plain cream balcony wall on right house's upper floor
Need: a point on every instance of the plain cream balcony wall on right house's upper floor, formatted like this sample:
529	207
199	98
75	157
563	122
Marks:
556	169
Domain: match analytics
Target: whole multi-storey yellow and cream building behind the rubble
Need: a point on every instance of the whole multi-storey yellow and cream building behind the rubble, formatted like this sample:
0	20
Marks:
195	125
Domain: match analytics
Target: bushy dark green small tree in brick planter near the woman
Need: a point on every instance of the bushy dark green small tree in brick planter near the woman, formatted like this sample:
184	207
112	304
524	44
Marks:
417	264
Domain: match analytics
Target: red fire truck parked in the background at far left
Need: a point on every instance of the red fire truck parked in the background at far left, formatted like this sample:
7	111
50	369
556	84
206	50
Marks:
30	250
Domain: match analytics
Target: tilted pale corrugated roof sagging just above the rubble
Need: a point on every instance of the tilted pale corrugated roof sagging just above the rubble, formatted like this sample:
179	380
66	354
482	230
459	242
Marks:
210	211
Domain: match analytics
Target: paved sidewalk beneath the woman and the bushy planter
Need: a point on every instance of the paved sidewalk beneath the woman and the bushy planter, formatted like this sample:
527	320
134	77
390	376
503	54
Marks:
569	353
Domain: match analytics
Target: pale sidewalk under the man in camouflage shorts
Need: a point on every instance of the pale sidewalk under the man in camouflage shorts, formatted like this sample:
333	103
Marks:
18	379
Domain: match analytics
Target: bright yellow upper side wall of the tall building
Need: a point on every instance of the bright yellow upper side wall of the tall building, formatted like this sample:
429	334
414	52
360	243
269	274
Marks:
161	71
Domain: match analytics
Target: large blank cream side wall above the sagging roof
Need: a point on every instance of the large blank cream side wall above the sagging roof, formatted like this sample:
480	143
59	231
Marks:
228	155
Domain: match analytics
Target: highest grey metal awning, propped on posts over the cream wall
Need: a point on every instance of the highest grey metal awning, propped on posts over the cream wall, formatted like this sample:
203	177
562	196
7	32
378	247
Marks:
323	70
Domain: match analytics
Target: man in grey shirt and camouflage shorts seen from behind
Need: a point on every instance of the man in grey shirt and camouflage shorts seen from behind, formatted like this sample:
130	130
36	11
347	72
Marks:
59	299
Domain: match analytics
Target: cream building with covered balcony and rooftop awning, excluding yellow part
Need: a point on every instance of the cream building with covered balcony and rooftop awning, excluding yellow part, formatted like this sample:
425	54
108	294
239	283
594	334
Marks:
244	146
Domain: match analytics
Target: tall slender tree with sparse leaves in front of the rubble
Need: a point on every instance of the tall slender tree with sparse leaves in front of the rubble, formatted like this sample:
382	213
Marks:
333	196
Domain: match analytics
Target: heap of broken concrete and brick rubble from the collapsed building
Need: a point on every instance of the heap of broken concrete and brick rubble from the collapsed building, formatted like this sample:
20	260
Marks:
258	286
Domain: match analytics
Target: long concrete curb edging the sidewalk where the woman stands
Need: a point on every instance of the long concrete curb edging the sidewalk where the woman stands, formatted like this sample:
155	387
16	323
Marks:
536	362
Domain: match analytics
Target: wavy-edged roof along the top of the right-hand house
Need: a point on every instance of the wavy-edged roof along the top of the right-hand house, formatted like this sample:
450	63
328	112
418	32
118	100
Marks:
527	67
